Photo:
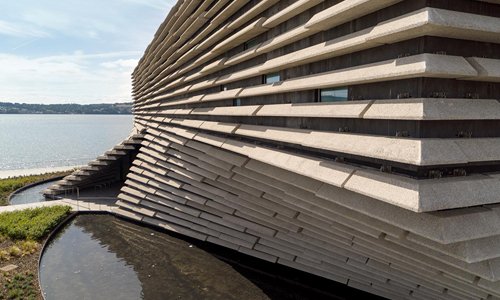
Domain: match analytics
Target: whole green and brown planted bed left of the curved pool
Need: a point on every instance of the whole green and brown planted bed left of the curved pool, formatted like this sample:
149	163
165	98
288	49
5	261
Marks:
22	234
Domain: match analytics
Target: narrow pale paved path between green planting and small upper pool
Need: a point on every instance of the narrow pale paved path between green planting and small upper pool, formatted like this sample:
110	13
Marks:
83	204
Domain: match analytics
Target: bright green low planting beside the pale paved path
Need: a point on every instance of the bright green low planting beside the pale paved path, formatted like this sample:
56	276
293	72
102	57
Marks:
32	224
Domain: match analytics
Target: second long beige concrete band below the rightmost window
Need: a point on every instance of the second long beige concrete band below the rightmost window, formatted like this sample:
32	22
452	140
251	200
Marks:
405	150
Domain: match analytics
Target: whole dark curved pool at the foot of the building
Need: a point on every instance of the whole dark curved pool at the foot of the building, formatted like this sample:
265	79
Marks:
103	257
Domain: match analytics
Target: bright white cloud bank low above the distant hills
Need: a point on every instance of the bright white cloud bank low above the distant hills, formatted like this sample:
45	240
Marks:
64	81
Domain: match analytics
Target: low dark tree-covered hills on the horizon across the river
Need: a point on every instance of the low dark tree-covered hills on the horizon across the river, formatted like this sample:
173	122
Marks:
24	108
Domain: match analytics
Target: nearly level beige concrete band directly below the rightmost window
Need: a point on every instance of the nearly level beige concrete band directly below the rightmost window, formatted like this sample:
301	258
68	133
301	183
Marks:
401	109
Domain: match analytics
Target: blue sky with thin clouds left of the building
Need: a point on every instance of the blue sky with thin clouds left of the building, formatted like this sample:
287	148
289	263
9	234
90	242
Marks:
74	51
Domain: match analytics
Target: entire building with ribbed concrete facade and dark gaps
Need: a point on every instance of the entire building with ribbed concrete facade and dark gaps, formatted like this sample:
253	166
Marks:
357	140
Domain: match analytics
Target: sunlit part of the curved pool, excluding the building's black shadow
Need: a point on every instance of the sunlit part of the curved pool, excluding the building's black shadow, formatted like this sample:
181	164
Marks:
101	257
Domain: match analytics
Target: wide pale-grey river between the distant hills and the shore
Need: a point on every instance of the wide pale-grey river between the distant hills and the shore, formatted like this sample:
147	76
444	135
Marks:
44	141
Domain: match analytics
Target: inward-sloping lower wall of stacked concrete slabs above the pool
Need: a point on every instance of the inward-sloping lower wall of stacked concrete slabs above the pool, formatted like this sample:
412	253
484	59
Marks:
195	186
